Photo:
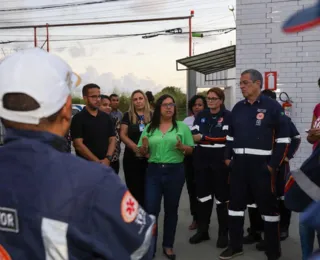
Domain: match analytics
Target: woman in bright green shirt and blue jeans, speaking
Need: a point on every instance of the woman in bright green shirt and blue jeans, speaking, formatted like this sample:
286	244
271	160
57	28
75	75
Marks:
165	141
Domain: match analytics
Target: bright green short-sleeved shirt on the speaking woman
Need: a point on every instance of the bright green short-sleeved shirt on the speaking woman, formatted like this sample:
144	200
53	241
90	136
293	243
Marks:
162	147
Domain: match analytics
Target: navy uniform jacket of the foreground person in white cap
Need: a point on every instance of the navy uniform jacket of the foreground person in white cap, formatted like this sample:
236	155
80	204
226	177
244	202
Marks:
54	205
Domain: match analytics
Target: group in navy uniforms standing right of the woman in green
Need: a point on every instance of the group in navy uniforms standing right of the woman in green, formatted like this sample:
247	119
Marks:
240	160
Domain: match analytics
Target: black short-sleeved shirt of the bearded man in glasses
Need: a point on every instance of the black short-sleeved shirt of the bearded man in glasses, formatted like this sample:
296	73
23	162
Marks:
94	130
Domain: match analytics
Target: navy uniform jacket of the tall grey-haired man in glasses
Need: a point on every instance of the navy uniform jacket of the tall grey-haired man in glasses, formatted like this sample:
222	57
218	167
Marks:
259	129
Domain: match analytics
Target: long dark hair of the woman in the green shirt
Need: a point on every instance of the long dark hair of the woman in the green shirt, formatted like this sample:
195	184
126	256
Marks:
155	120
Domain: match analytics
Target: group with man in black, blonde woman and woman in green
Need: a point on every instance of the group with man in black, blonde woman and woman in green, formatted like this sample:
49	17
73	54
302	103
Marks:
155	146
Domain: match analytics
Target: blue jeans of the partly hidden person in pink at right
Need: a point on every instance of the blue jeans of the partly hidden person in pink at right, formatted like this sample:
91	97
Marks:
307	240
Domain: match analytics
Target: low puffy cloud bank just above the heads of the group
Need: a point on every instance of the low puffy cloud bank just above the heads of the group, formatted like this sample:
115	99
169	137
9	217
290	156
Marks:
109	83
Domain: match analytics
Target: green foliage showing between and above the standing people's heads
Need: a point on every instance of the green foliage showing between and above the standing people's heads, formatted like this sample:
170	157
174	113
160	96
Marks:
124	100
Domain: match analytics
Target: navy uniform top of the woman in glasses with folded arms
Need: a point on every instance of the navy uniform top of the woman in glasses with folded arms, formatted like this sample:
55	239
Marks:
213	128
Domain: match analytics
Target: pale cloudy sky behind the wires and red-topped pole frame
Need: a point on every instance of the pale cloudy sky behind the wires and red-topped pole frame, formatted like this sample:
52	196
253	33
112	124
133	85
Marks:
120	64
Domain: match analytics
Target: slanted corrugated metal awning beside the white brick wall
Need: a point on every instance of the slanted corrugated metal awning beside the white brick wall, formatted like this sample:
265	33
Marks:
210	62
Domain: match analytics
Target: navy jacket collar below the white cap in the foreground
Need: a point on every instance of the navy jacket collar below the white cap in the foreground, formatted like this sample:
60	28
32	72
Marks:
57	142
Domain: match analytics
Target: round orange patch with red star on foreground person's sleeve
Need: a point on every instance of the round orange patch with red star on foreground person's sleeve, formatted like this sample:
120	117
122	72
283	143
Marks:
129	208
